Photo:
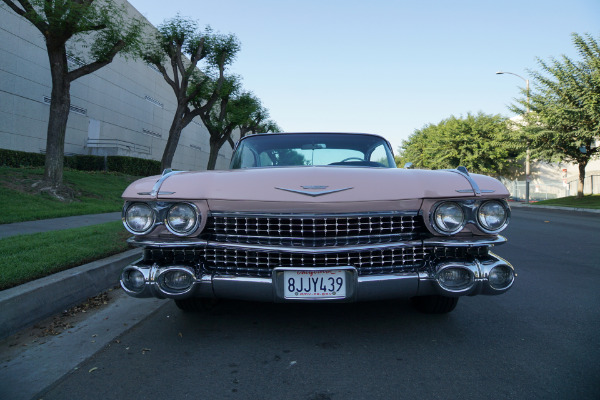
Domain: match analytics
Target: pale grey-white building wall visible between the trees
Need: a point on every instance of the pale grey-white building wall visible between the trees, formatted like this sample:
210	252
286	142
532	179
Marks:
125	108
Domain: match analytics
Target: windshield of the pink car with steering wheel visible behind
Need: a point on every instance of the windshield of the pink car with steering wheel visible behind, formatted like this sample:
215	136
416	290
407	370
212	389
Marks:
297	149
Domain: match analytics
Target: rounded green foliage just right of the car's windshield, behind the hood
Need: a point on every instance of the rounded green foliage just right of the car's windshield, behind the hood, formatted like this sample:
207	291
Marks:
476	142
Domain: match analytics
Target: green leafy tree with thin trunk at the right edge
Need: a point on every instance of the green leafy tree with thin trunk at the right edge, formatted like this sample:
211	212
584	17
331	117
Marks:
564	122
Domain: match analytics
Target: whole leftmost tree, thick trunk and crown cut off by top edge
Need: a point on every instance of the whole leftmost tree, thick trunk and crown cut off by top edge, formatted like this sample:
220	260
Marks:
97	31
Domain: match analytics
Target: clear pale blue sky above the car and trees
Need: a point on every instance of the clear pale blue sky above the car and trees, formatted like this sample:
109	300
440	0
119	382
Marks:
382	66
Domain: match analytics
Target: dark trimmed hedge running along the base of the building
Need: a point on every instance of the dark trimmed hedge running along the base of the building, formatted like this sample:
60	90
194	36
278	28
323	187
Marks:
123	164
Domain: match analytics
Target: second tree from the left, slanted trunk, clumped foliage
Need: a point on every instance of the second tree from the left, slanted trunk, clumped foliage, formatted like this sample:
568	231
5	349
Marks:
180	44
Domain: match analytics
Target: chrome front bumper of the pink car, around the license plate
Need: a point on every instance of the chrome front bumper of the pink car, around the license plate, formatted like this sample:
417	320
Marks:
363	288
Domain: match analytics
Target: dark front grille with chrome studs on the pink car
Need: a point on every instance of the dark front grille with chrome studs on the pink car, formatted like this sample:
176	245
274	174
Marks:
255	244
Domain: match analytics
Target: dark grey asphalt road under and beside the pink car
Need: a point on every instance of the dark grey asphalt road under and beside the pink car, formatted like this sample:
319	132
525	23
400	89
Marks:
541	340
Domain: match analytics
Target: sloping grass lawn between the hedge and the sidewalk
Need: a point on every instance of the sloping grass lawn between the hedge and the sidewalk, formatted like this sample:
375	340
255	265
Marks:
99	192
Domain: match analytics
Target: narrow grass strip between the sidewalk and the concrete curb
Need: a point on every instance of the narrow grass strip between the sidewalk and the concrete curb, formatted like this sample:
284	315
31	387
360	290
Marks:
27	257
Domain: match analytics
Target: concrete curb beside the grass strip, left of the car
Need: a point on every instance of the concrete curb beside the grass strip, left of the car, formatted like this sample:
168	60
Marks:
26	304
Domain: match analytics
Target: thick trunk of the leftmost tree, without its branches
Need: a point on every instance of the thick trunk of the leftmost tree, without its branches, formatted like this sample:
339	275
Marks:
60	103
